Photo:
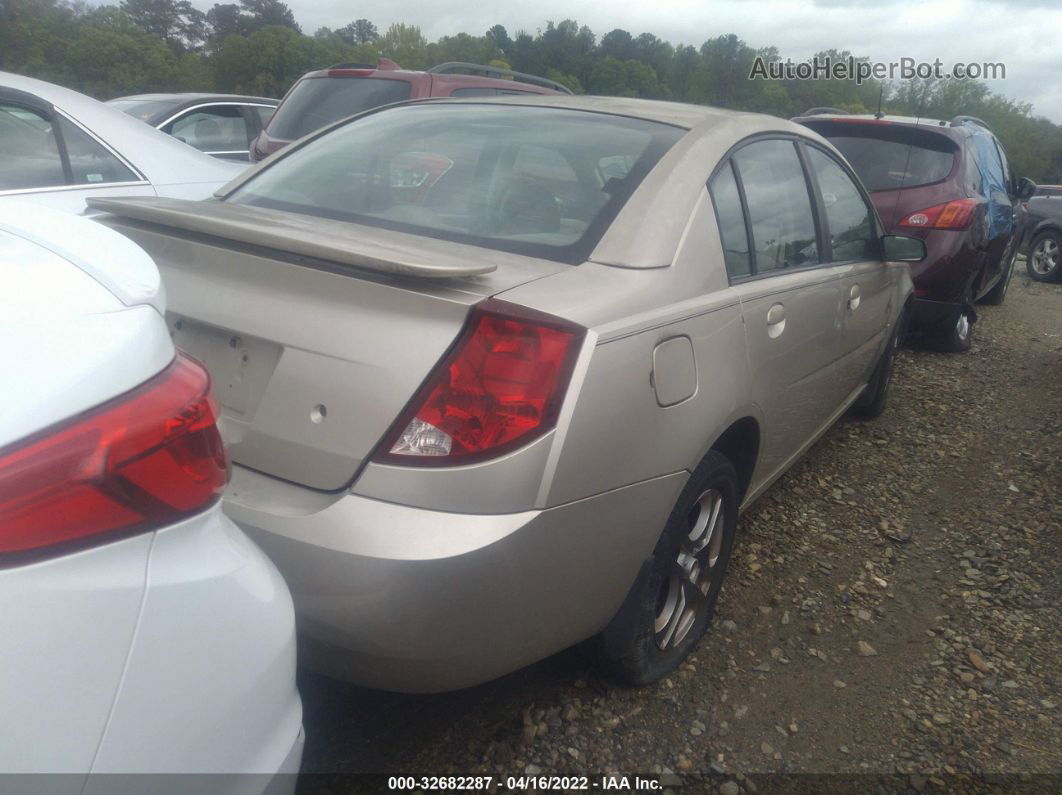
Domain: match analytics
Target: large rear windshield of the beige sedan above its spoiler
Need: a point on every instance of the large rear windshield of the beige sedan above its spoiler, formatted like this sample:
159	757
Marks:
542	182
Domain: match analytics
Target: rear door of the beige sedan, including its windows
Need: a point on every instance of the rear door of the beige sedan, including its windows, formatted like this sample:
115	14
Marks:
791	299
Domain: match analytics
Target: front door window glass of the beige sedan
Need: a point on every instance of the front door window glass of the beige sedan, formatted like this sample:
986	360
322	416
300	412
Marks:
852	230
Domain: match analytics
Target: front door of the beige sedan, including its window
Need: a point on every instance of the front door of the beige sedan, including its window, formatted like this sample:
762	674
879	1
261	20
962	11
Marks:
852	243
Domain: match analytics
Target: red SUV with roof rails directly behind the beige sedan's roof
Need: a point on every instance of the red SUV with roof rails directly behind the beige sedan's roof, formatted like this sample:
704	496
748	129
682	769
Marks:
330	95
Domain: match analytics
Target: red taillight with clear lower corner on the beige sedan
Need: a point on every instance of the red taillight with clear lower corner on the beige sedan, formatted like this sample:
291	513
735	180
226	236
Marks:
500	387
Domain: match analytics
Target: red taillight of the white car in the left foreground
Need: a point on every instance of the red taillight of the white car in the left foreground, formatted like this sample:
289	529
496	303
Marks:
140	462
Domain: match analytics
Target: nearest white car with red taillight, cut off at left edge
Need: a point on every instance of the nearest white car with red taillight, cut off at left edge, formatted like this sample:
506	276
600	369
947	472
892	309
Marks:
142	632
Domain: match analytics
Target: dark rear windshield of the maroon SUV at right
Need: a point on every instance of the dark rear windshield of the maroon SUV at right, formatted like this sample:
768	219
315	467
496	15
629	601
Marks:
893	158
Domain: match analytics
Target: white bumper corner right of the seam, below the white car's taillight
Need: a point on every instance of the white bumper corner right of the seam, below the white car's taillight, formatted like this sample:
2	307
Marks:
210	685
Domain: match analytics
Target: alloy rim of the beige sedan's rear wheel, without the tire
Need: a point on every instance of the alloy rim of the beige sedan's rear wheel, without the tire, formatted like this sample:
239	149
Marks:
684	594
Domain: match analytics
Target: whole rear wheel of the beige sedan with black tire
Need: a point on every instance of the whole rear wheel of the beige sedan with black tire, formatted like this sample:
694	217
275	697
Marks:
662	619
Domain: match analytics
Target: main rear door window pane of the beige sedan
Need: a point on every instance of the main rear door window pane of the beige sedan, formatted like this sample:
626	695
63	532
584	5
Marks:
780	206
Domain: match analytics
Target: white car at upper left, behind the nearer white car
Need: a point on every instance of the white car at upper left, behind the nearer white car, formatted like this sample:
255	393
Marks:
60	148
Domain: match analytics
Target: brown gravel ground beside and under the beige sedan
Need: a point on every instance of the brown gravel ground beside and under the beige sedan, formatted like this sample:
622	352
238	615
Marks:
892	617
